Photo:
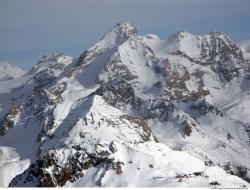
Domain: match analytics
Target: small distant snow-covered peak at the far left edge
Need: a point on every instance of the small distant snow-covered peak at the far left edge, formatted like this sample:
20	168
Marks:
9	71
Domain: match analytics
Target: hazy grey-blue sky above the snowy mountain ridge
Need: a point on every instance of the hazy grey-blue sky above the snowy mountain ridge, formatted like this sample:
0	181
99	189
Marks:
32	28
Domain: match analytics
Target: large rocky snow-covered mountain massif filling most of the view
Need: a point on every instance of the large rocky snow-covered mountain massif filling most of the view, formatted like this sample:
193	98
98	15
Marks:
132	110
